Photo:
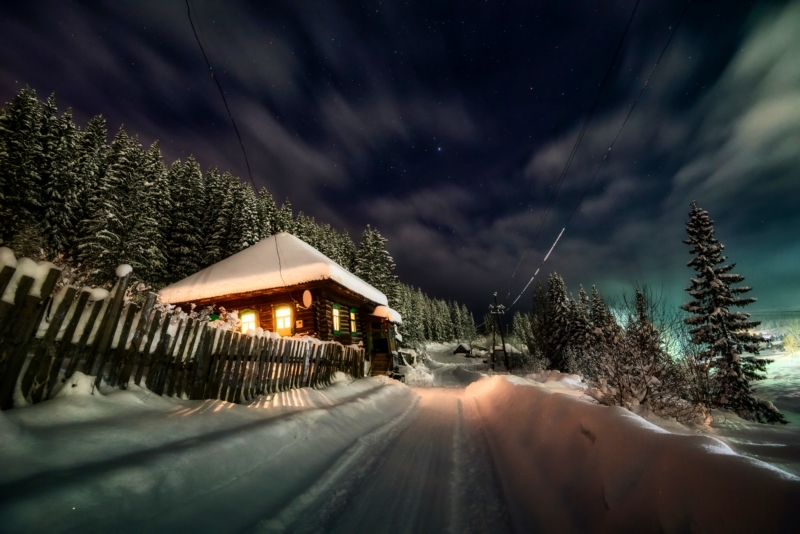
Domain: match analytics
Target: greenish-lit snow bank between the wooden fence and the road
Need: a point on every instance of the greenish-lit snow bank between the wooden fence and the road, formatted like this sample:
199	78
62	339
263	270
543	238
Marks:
130	461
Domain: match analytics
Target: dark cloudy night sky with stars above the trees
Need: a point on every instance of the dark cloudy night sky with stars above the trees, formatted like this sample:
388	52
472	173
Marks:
446	124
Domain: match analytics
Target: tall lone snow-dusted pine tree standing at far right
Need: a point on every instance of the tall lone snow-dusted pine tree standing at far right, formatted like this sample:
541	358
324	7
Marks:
722	335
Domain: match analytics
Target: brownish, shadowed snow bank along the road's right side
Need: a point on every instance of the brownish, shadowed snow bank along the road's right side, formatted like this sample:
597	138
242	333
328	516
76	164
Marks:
566	465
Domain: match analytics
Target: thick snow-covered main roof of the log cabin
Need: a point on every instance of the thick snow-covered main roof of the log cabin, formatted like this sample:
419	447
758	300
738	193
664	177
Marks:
278	261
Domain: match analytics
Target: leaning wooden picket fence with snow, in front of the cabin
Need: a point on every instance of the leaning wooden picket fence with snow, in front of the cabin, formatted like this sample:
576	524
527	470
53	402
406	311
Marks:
45	339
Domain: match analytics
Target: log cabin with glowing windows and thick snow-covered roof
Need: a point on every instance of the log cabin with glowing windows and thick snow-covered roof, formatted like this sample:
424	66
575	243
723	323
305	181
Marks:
284	285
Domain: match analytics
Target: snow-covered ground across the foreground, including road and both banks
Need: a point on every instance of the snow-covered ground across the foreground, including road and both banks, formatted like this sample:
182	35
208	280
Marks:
503	454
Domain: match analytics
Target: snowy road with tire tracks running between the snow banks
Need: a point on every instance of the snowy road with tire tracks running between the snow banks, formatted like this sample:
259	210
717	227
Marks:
433	476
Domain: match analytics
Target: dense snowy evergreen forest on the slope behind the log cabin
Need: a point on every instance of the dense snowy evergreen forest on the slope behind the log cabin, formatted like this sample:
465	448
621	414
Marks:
69	196
